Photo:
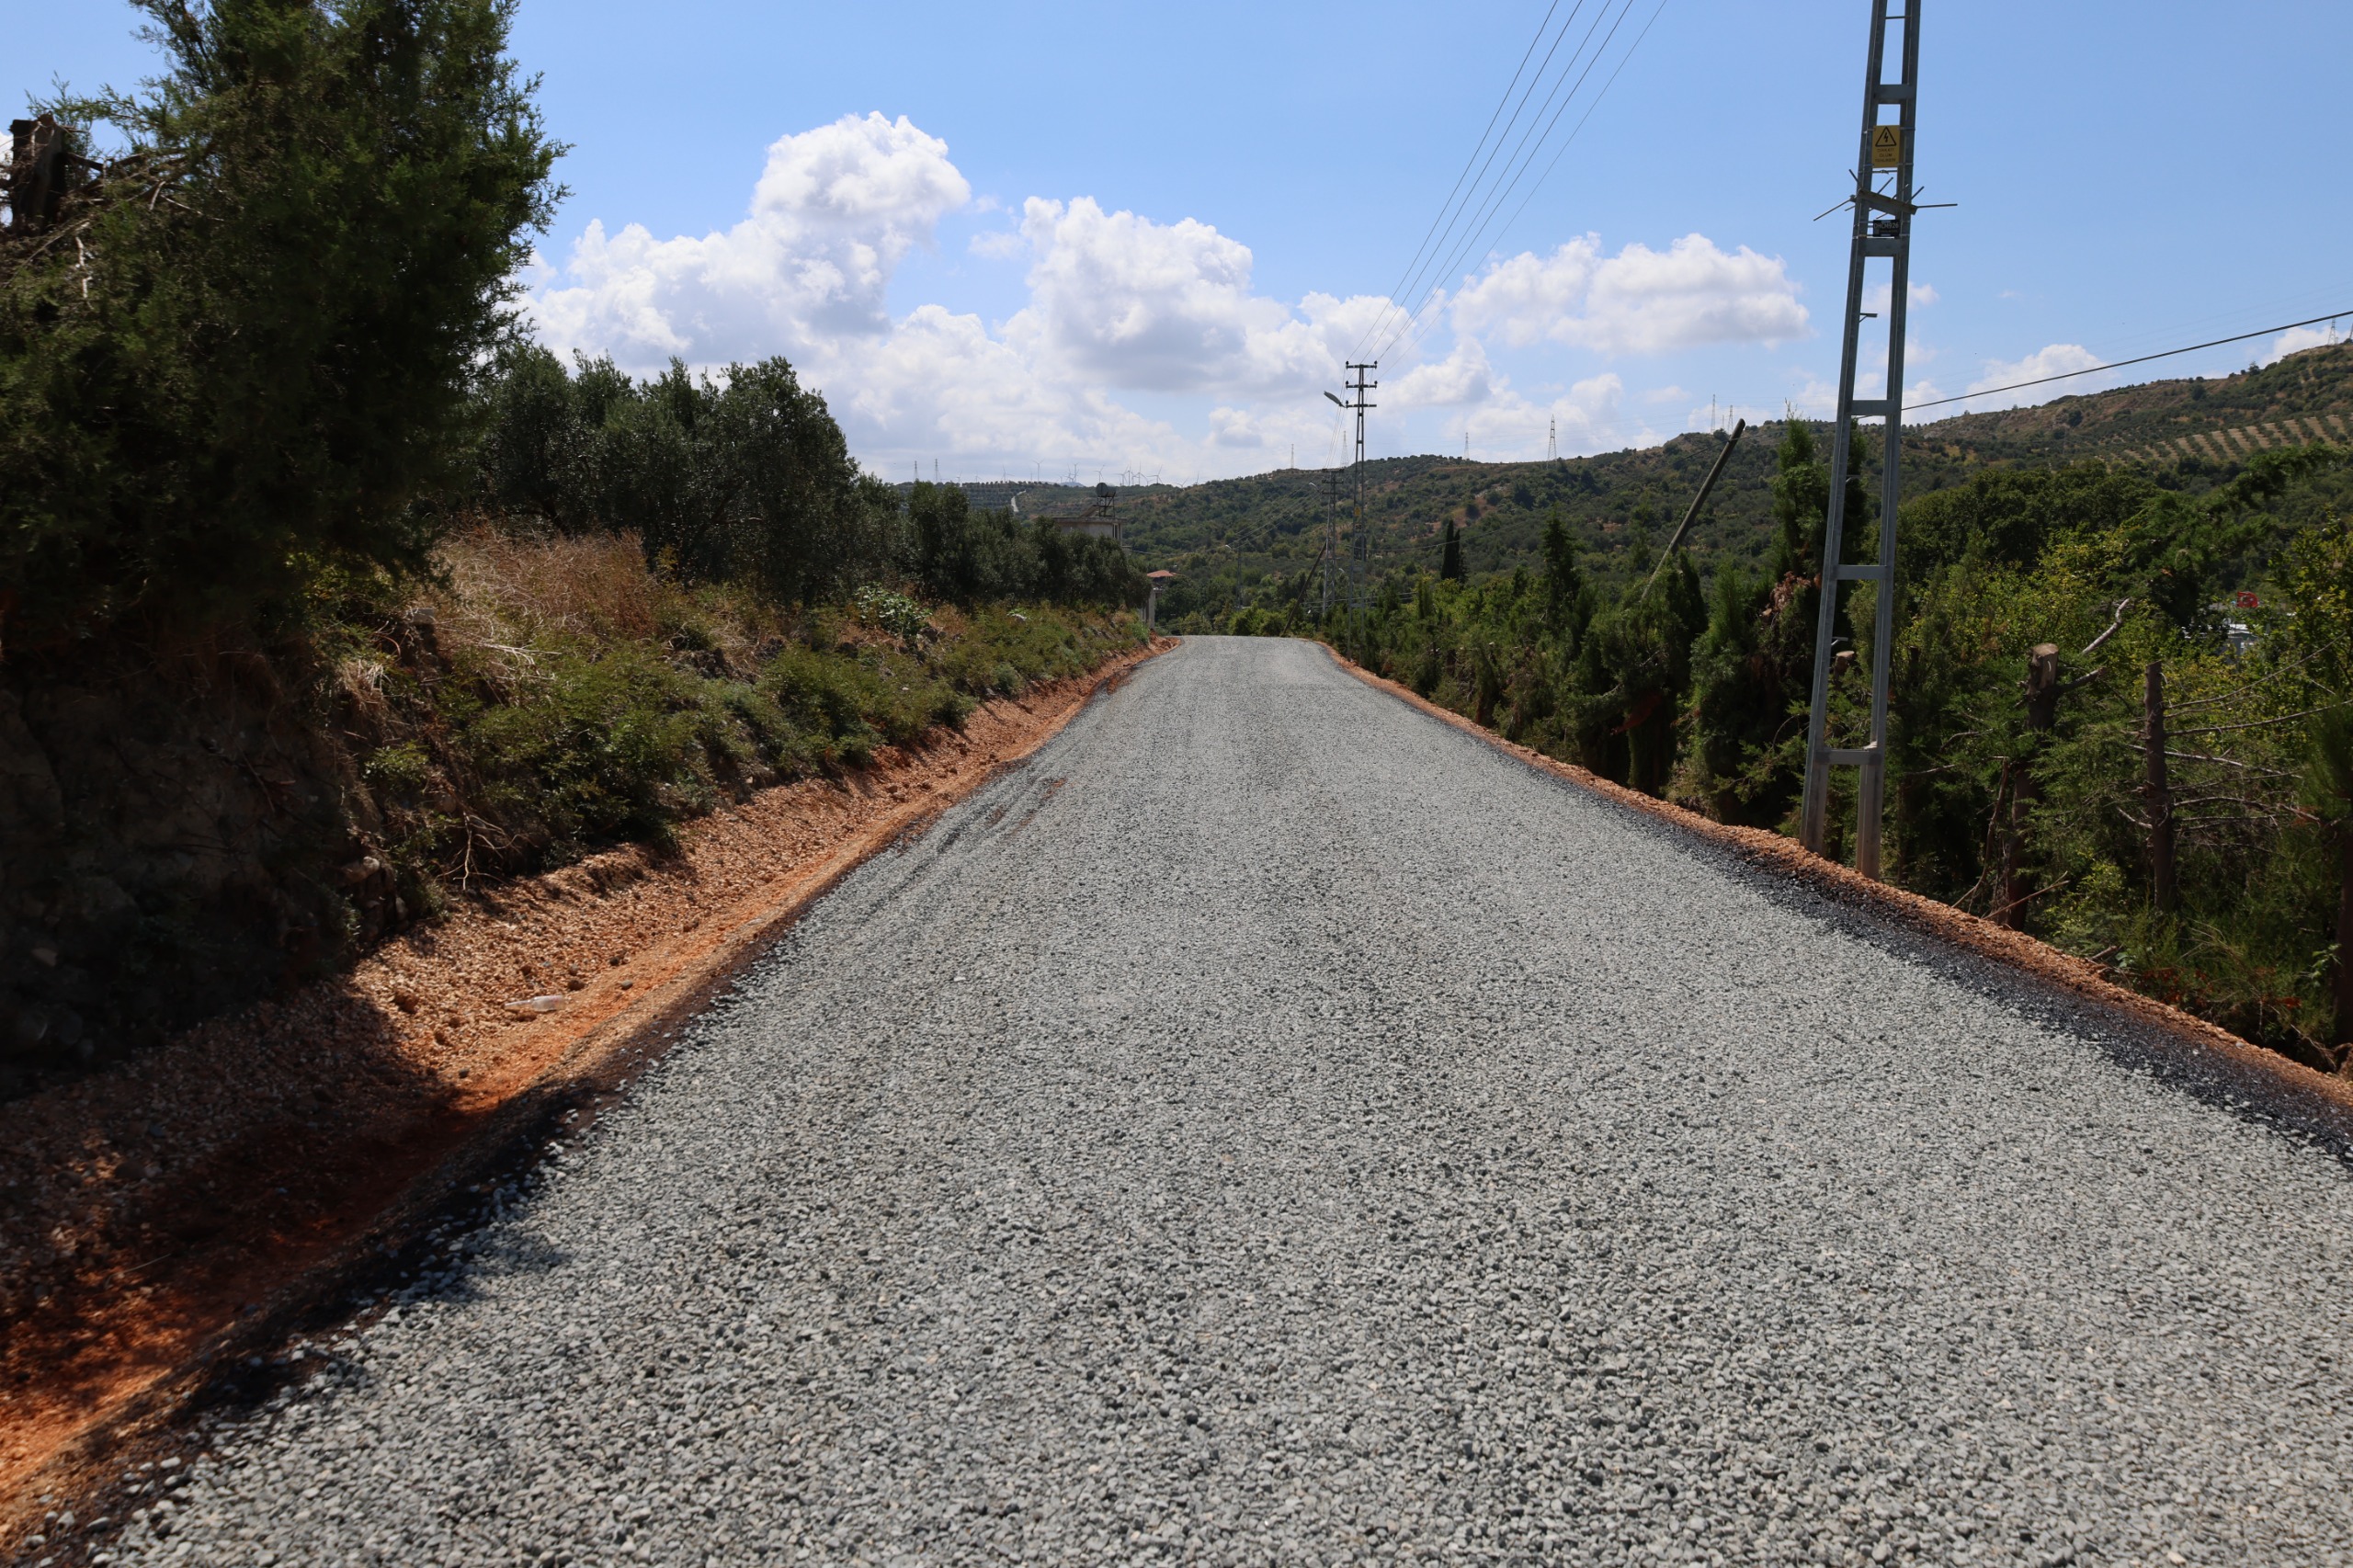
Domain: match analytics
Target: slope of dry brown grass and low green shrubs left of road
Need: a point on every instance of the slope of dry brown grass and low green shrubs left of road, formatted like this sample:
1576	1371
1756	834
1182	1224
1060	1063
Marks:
554	696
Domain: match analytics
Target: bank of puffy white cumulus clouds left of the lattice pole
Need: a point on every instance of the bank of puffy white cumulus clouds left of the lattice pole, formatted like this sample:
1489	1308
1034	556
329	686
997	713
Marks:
1119	305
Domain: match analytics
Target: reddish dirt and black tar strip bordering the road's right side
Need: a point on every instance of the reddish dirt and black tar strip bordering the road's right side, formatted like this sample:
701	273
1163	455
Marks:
2067	992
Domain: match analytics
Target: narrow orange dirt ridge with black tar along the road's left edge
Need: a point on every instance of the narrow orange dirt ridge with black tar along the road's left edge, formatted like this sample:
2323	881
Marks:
248	1362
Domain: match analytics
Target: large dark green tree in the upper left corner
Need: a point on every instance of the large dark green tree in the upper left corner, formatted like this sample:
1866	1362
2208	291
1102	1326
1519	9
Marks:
248	350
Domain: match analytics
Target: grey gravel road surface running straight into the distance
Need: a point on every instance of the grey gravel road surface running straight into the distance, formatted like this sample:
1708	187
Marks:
1277	1129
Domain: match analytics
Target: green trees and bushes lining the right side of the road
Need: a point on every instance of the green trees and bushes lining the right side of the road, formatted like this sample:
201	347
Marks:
2121	719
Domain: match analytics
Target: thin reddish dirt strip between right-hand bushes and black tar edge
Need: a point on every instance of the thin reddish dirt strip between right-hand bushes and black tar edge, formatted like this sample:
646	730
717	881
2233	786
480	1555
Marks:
1919	915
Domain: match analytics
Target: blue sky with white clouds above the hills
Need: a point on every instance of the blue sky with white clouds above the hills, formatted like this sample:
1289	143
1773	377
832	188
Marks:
1121	239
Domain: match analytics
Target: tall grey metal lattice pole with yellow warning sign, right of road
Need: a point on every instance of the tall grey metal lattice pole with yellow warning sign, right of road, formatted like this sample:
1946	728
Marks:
1881	232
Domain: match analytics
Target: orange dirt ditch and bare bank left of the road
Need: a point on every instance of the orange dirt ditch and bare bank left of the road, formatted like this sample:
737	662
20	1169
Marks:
168	1211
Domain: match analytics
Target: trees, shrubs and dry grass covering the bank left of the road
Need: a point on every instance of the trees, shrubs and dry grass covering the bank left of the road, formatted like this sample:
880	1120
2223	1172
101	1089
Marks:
288	493
